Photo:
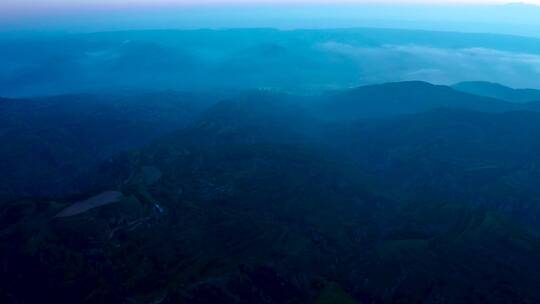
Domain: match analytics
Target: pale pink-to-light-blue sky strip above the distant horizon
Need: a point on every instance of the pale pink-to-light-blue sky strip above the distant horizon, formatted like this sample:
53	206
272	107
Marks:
491	16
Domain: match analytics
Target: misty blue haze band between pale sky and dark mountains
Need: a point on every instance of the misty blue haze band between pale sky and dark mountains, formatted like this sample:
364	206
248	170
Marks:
301	61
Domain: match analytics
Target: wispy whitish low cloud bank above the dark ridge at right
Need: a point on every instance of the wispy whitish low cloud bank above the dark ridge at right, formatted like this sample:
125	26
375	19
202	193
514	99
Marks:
440	65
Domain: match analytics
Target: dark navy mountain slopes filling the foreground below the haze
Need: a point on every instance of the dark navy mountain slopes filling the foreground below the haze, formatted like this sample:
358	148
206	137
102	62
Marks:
402	192
